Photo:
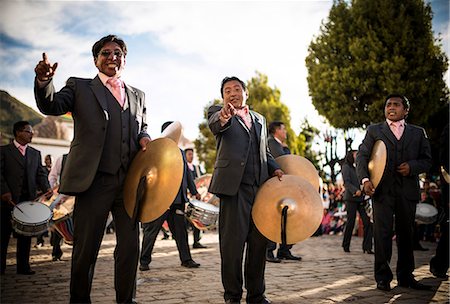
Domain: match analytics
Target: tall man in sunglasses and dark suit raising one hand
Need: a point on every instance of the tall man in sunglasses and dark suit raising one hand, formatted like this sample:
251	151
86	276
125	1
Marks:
110	127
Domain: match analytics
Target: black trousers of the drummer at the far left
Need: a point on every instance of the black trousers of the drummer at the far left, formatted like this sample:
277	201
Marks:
23	242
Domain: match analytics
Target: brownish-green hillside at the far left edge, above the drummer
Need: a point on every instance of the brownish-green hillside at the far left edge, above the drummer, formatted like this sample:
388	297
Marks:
12	110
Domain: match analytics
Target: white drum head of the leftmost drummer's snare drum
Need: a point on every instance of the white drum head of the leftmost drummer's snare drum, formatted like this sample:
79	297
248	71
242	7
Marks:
31	212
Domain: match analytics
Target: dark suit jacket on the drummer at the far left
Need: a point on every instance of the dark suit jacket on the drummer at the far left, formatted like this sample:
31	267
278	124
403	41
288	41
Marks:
12	166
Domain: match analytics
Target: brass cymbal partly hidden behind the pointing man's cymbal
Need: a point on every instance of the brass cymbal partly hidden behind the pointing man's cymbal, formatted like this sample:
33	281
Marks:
299	166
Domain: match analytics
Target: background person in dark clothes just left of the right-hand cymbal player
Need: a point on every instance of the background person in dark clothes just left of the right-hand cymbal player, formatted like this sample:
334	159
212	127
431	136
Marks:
354	199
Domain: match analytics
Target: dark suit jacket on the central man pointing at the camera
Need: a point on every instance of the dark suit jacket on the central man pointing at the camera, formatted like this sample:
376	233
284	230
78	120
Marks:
233	146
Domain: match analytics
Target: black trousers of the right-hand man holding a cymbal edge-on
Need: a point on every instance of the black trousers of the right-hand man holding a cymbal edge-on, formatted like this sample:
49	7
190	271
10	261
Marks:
384	209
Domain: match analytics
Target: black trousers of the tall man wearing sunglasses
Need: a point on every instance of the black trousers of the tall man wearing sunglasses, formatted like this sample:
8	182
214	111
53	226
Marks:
90	214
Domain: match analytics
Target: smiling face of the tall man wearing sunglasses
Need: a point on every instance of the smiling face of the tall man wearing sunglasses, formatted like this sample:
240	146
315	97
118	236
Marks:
110	60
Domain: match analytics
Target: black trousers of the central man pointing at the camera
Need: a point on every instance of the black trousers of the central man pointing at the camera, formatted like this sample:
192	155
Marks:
237	233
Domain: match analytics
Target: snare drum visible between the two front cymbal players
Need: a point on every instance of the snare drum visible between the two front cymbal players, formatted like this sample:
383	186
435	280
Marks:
202	215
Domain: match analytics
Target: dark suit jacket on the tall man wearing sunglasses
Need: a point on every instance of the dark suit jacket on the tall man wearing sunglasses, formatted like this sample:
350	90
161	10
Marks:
86	100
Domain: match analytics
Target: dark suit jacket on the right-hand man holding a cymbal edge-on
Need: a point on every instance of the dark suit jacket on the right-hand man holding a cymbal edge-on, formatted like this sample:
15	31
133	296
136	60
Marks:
416	152
